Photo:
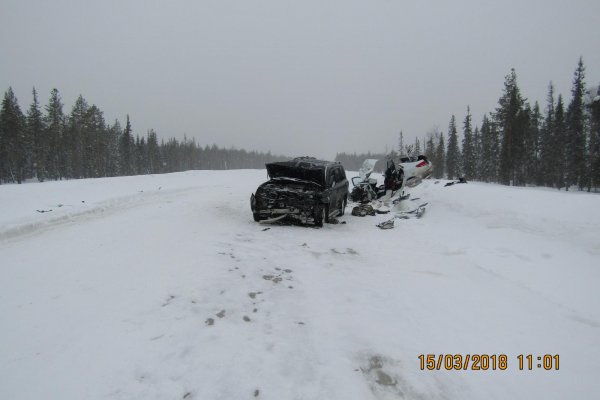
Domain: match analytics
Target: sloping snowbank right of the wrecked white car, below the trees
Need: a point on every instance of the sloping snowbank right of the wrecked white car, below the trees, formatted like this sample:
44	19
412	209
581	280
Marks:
543	239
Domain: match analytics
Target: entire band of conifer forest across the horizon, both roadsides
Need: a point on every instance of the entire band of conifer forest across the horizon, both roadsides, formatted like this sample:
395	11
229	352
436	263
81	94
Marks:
516	144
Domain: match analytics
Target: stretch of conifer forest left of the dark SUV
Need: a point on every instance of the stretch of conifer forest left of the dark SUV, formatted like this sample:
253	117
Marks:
52	145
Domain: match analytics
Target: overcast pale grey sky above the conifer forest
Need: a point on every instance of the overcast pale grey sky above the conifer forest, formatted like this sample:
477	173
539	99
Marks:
294	77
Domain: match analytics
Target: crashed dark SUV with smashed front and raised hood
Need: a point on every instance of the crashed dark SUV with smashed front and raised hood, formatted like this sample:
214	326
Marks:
304	188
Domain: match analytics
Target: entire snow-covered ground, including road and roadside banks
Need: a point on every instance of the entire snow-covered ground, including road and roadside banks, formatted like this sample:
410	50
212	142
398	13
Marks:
163	287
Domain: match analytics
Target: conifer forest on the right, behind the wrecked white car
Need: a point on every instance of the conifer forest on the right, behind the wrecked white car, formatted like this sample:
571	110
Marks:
517	144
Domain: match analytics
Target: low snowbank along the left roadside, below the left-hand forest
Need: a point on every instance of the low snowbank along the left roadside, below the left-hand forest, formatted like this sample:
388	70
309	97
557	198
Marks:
33	207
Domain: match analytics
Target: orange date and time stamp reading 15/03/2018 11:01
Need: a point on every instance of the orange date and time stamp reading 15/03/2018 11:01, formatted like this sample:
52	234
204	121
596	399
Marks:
485	362
